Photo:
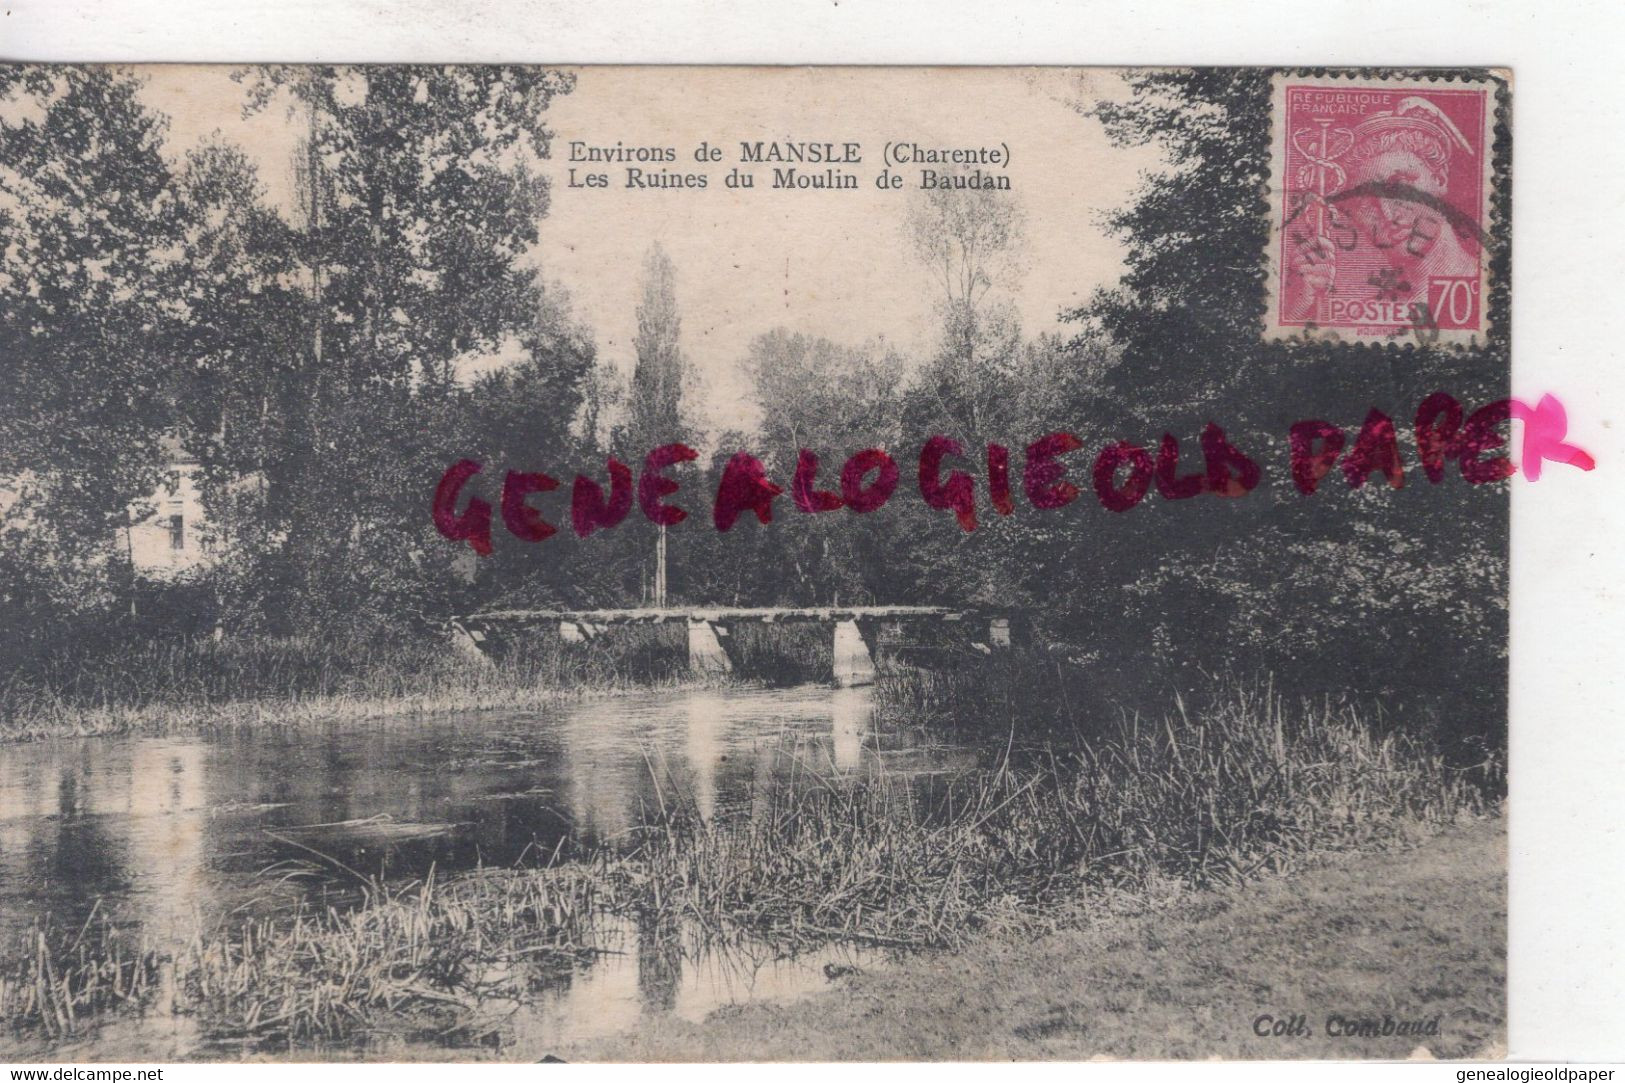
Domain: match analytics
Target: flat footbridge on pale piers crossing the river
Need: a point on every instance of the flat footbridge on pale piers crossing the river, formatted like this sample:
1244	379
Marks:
857	630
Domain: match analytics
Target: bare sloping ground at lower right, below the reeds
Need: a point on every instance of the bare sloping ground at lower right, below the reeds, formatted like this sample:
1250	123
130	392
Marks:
1411	936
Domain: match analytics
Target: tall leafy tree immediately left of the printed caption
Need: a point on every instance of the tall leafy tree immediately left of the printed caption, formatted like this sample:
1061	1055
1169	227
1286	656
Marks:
420	211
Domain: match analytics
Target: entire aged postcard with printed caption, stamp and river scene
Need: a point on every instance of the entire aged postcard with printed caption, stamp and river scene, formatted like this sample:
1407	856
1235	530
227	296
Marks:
626	563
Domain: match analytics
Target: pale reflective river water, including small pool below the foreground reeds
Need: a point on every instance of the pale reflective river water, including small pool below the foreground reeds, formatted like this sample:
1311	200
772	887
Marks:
162	833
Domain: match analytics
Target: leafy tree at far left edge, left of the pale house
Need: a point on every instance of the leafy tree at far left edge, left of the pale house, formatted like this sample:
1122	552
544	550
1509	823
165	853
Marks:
92	307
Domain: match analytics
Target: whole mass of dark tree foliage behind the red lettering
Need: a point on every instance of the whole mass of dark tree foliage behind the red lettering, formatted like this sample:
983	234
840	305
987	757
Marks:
324	370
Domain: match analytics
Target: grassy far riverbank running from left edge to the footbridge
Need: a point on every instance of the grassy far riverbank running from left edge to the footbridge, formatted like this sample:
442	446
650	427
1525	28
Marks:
196	684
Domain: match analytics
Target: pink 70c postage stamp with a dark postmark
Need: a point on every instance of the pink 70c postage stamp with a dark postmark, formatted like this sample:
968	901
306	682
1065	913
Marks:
1380	201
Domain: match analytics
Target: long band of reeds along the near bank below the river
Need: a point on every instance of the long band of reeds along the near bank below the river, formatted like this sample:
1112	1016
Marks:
1247	788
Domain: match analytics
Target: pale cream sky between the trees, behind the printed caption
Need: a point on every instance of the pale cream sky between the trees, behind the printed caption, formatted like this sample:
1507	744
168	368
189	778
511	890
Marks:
834	263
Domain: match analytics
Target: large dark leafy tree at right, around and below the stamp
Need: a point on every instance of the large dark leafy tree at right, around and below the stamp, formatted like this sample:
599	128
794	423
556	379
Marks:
1314	589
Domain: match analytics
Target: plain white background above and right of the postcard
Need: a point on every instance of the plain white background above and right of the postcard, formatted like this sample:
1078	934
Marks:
1569	729
